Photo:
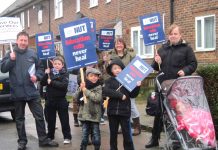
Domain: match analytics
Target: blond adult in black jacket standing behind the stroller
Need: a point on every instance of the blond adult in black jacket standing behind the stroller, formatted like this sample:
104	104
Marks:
175	58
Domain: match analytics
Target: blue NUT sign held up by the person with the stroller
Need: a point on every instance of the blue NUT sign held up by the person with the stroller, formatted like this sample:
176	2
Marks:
152	29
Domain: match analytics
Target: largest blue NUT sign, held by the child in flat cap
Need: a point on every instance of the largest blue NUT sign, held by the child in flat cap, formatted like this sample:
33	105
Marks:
78	45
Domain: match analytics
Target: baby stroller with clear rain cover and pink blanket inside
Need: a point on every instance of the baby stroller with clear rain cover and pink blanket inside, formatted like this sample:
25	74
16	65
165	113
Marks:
186	115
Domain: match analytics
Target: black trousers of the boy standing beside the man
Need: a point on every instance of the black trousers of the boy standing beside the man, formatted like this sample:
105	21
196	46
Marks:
60	106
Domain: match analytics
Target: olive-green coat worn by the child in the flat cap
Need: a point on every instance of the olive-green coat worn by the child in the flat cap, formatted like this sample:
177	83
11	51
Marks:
91	111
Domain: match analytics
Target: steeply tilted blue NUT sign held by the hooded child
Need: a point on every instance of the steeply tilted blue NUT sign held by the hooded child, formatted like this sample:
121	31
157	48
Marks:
135	71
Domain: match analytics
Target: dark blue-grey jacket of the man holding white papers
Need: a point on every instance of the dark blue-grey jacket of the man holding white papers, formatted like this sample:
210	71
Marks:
22	88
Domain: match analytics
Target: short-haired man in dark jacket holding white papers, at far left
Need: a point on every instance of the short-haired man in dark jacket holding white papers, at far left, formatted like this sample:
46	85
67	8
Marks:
23	89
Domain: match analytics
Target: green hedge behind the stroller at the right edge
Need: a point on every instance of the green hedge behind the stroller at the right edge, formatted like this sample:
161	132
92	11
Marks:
210	75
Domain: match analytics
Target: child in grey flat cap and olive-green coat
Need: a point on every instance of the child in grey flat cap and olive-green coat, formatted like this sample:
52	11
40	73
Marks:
90	112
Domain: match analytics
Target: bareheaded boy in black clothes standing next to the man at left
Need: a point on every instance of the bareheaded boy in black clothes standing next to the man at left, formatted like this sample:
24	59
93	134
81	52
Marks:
56	80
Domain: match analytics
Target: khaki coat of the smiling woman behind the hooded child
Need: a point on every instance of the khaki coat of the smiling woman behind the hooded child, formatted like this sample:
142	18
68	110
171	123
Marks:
129	54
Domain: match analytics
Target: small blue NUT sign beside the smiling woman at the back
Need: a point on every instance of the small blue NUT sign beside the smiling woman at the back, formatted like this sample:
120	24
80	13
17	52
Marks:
106	39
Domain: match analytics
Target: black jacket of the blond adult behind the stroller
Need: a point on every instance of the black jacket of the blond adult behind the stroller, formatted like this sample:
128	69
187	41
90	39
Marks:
175	58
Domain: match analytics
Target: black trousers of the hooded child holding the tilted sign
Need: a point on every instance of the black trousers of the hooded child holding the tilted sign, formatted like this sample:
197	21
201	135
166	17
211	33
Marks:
114	122
